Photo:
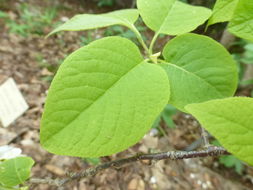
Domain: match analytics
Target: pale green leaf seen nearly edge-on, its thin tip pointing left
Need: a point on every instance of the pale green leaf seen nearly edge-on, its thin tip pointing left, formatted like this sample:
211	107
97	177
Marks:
91	21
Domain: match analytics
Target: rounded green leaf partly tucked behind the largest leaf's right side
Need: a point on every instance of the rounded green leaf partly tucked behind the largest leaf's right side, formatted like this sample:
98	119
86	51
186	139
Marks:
199	69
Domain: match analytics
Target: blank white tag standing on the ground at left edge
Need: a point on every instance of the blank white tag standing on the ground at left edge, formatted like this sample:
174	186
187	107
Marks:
12	103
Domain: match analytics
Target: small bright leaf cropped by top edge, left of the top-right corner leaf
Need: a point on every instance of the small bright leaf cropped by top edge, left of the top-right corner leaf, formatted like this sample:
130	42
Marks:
223	11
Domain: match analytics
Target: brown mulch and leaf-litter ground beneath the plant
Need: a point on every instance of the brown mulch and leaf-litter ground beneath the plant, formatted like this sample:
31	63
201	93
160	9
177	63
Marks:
24	59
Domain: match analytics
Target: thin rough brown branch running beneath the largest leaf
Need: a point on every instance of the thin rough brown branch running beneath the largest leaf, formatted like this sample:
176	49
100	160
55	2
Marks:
173	155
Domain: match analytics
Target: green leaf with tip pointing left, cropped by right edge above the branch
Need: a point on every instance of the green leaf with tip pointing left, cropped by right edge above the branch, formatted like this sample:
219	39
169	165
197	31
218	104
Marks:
230	120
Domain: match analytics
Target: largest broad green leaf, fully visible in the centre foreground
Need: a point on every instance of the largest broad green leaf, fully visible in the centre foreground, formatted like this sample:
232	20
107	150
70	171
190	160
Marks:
103	99
